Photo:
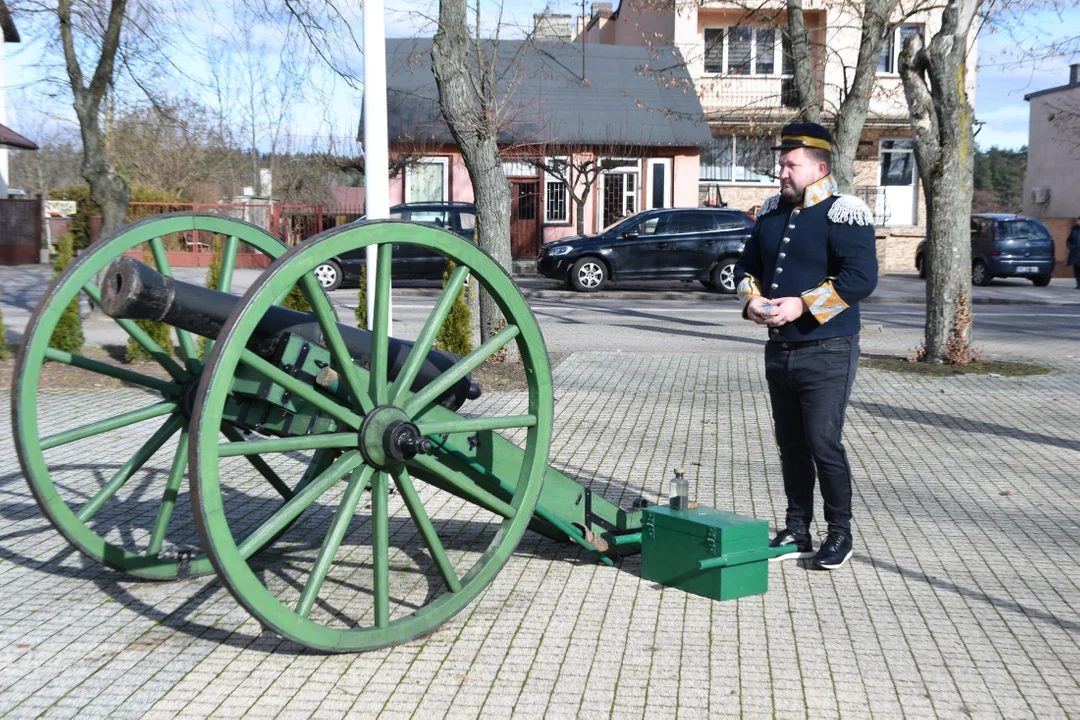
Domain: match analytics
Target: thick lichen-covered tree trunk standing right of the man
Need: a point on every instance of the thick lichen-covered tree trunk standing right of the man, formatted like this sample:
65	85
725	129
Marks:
935	83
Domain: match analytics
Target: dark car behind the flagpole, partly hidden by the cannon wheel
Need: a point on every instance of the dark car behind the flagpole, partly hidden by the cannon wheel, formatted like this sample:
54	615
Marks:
410	262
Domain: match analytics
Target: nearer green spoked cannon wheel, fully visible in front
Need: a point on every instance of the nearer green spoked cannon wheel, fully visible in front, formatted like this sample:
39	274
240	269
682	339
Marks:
354	574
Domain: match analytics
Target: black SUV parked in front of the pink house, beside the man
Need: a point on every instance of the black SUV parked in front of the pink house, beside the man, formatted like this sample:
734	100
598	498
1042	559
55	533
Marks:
698	243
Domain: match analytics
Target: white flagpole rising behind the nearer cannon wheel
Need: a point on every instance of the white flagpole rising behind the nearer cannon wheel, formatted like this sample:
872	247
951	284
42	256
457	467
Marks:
376	146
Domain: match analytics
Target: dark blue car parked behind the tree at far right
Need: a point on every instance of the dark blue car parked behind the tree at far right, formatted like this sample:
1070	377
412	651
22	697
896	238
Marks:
1005	246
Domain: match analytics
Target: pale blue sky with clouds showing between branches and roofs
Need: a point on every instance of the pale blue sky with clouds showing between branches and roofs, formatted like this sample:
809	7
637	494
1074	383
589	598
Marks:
334	108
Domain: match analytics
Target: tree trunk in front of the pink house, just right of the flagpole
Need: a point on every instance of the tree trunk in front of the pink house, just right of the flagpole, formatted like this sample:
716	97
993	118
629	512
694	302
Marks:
475	129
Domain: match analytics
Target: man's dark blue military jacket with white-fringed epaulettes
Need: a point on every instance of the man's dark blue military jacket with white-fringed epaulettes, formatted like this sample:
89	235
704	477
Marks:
821	251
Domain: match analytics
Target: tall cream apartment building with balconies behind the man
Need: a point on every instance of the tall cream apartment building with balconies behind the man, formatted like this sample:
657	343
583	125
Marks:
739	59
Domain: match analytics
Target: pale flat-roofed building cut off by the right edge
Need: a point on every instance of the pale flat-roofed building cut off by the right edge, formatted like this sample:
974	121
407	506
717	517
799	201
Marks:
1051	193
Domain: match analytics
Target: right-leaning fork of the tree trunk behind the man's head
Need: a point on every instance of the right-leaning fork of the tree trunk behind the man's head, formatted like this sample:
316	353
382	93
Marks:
857	100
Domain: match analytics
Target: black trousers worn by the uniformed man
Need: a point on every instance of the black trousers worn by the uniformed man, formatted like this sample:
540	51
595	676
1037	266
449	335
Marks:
809	386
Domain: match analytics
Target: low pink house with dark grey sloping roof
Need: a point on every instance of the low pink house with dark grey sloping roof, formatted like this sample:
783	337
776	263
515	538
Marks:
603	121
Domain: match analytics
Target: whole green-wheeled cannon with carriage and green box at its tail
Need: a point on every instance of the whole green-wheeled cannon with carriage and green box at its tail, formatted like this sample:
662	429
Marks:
329	469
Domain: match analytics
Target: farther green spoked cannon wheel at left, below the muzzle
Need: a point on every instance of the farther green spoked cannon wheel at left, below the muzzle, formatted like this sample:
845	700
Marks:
103	476
